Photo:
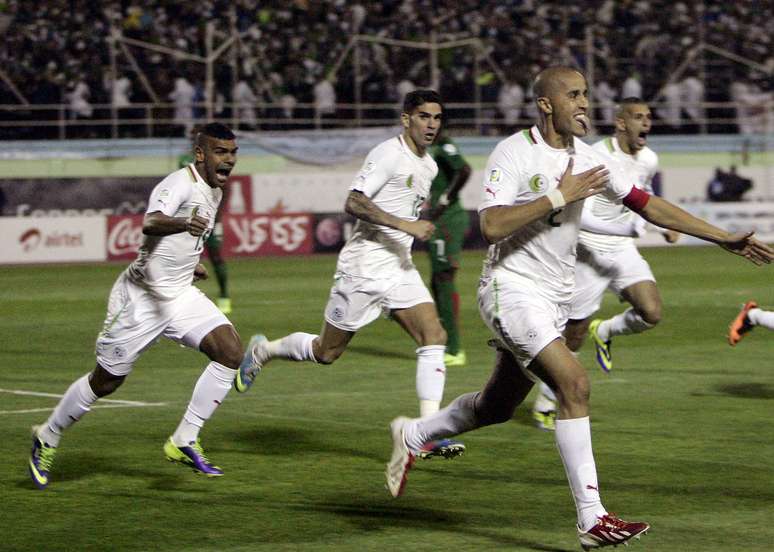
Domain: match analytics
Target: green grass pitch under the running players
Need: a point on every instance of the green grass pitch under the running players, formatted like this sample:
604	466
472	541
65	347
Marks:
683	428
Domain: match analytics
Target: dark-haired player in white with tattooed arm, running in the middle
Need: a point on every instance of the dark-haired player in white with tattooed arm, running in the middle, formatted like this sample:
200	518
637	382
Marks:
375	272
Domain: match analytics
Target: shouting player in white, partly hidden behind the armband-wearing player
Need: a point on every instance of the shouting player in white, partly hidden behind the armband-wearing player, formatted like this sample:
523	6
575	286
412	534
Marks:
607	256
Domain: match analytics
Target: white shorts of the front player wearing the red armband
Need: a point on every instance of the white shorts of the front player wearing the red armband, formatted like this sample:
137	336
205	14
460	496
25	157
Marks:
523	321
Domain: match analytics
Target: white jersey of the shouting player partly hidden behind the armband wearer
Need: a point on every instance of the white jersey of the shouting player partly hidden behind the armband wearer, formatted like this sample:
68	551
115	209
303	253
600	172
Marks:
639	170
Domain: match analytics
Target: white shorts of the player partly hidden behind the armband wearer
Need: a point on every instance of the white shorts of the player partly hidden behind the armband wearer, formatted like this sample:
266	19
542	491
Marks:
597	271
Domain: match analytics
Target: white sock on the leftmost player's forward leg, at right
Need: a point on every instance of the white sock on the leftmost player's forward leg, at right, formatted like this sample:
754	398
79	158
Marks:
210	390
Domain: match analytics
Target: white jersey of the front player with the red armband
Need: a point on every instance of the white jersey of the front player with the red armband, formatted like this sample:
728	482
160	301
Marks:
541	255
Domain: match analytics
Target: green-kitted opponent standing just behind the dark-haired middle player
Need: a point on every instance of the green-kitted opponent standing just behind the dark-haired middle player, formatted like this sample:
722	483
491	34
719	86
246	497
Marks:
451	222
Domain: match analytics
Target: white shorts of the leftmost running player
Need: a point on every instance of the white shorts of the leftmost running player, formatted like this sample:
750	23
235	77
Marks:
136	319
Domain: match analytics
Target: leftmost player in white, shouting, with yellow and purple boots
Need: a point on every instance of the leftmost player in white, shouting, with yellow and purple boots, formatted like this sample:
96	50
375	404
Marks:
155	297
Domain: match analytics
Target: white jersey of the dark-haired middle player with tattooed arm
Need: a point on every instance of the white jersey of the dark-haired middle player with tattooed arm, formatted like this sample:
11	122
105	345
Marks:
398	182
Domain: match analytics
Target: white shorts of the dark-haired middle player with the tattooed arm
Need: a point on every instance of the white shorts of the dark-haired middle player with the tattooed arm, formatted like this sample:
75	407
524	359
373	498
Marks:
355	302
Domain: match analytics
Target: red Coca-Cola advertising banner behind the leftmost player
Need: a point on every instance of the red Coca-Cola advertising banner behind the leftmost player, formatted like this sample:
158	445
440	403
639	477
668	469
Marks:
244	235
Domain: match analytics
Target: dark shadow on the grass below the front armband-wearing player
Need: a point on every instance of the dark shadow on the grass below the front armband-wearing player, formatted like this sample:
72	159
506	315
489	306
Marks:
368	517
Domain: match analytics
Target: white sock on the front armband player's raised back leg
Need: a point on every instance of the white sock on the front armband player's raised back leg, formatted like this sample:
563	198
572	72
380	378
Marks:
458	417
